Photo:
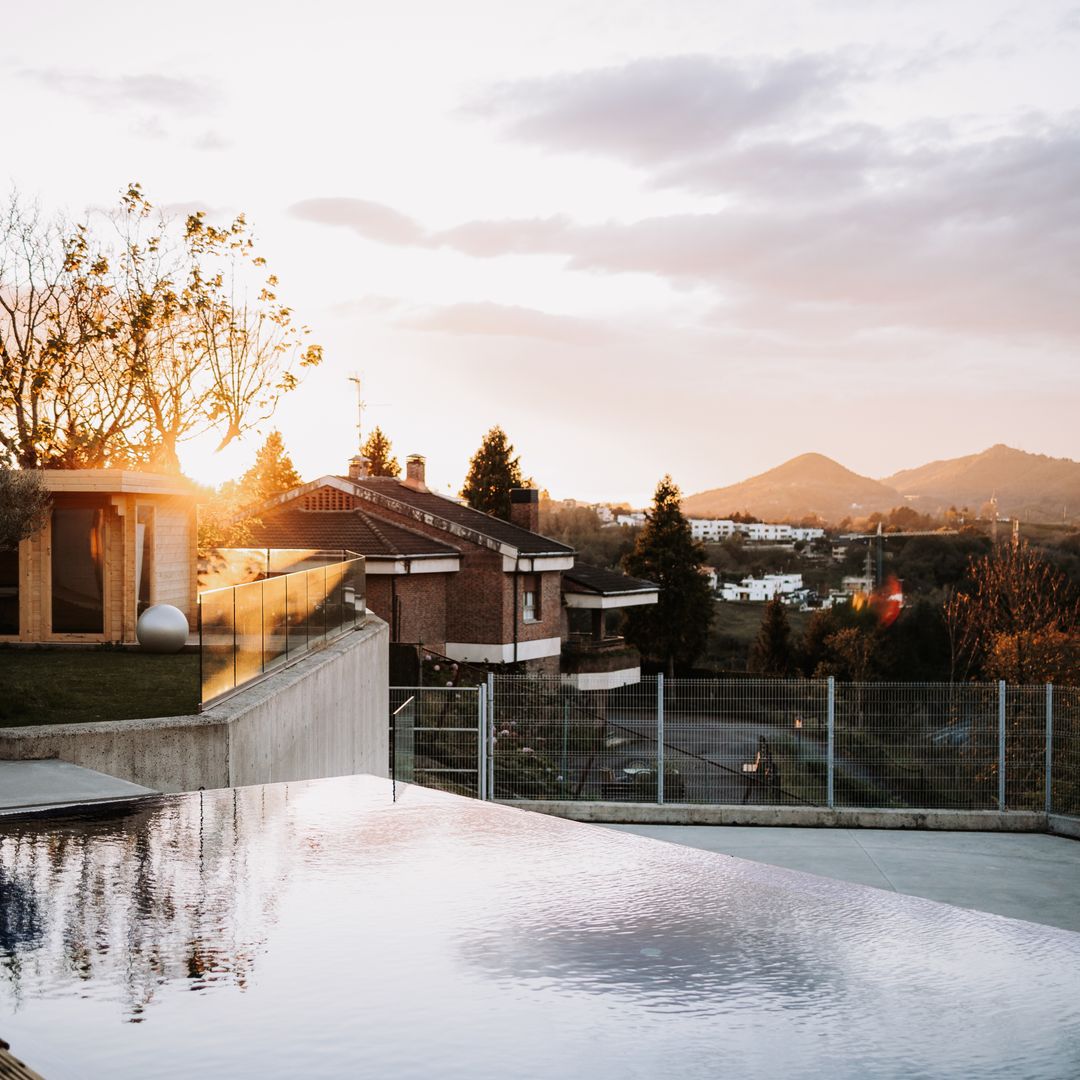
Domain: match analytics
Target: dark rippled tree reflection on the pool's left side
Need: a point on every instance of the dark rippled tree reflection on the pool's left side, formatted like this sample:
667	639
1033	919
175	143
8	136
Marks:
175	889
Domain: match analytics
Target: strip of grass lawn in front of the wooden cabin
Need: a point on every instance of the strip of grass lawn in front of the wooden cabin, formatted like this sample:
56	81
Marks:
73	686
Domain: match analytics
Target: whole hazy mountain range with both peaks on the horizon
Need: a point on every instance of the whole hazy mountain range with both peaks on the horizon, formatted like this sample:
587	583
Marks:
1031	487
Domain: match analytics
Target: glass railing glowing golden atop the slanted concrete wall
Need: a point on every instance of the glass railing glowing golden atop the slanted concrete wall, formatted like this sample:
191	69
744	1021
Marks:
249	631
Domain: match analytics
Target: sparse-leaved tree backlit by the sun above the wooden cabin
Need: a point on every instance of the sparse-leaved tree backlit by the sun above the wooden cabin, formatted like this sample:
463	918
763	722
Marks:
117	347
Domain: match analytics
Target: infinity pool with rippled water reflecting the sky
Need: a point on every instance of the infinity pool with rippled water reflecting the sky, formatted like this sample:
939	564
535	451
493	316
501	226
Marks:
321	930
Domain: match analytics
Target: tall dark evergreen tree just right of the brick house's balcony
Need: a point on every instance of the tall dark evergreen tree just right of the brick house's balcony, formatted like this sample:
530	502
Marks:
677	628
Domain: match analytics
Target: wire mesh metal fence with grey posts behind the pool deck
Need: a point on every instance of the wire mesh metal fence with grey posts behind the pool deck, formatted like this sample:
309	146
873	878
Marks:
777	742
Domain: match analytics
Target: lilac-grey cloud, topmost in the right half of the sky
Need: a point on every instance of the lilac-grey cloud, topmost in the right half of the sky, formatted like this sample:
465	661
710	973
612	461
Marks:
665	110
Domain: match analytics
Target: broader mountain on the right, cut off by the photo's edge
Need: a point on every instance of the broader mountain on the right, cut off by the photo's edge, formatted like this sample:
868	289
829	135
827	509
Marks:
1031	487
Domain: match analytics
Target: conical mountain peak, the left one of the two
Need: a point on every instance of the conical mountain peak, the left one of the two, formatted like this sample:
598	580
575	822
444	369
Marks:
809	484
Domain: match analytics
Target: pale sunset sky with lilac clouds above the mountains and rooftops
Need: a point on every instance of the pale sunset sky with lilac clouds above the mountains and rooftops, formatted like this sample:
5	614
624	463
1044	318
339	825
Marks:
696	238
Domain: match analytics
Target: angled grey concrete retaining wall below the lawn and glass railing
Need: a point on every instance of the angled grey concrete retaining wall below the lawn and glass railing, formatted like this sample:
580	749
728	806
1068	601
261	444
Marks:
327	715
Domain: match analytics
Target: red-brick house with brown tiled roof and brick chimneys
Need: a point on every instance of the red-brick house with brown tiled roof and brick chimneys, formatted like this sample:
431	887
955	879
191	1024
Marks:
464	584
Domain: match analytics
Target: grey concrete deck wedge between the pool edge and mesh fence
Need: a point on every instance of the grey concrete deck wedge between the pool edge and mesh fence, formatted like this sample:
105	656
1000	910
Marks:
1020	875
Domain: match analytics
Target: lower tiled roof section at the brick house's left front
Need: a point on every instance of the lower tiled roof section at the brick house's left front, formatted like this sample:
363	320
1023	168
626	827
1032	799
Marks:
353	530
